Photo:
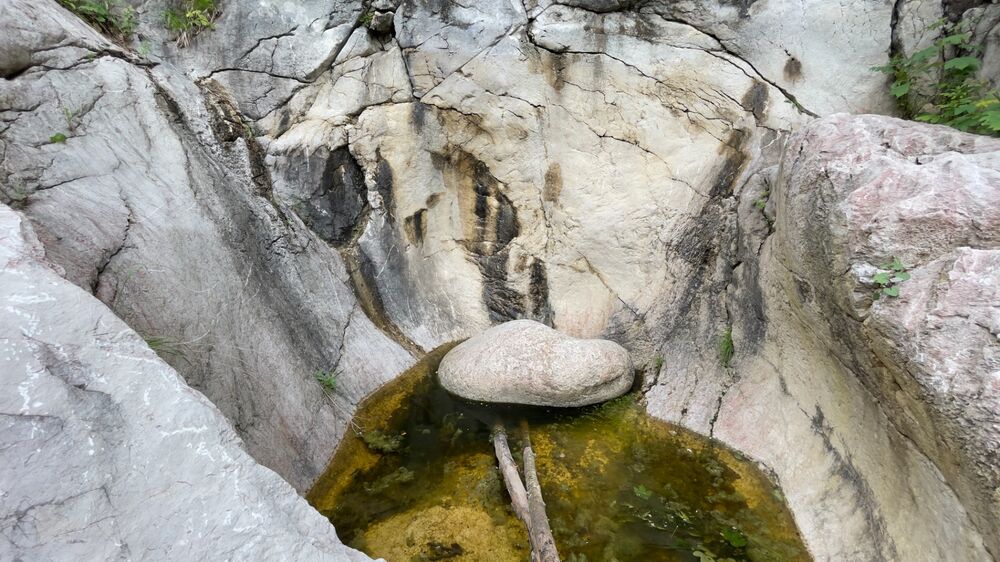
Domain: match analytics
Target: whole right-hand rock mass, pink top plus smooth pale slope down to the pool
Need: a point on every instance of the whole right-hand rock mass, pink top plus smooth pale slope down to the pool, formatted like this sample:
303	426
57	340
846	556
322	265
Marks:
878	418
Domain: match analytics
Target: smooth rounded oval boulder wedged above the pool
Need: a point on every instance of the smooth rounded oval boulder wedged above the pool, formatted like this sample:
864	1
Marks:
524	362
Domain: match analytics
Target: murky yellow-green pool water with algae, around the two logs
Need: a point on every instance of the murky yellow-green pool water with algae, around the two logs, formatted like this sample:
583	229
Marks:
619	485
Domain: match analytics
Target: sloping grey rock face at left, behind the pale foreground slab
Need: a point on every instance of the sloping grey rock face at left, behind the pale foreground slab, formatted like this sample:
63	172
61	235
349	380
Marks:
156	204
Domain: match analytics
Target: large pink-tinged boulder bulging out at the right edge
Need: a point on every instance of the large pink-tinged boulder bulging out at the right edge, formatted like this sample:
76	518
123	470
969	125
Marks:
856	192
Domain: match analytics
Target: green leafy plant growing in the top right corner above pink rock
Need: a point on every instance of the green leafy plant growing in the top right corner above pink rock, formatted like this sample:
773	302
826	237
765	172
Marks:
957	97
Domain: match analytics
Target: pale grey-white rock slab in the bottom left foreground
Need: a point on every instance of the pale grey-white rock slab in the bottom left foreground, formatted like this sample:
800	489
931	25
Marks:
106	453
